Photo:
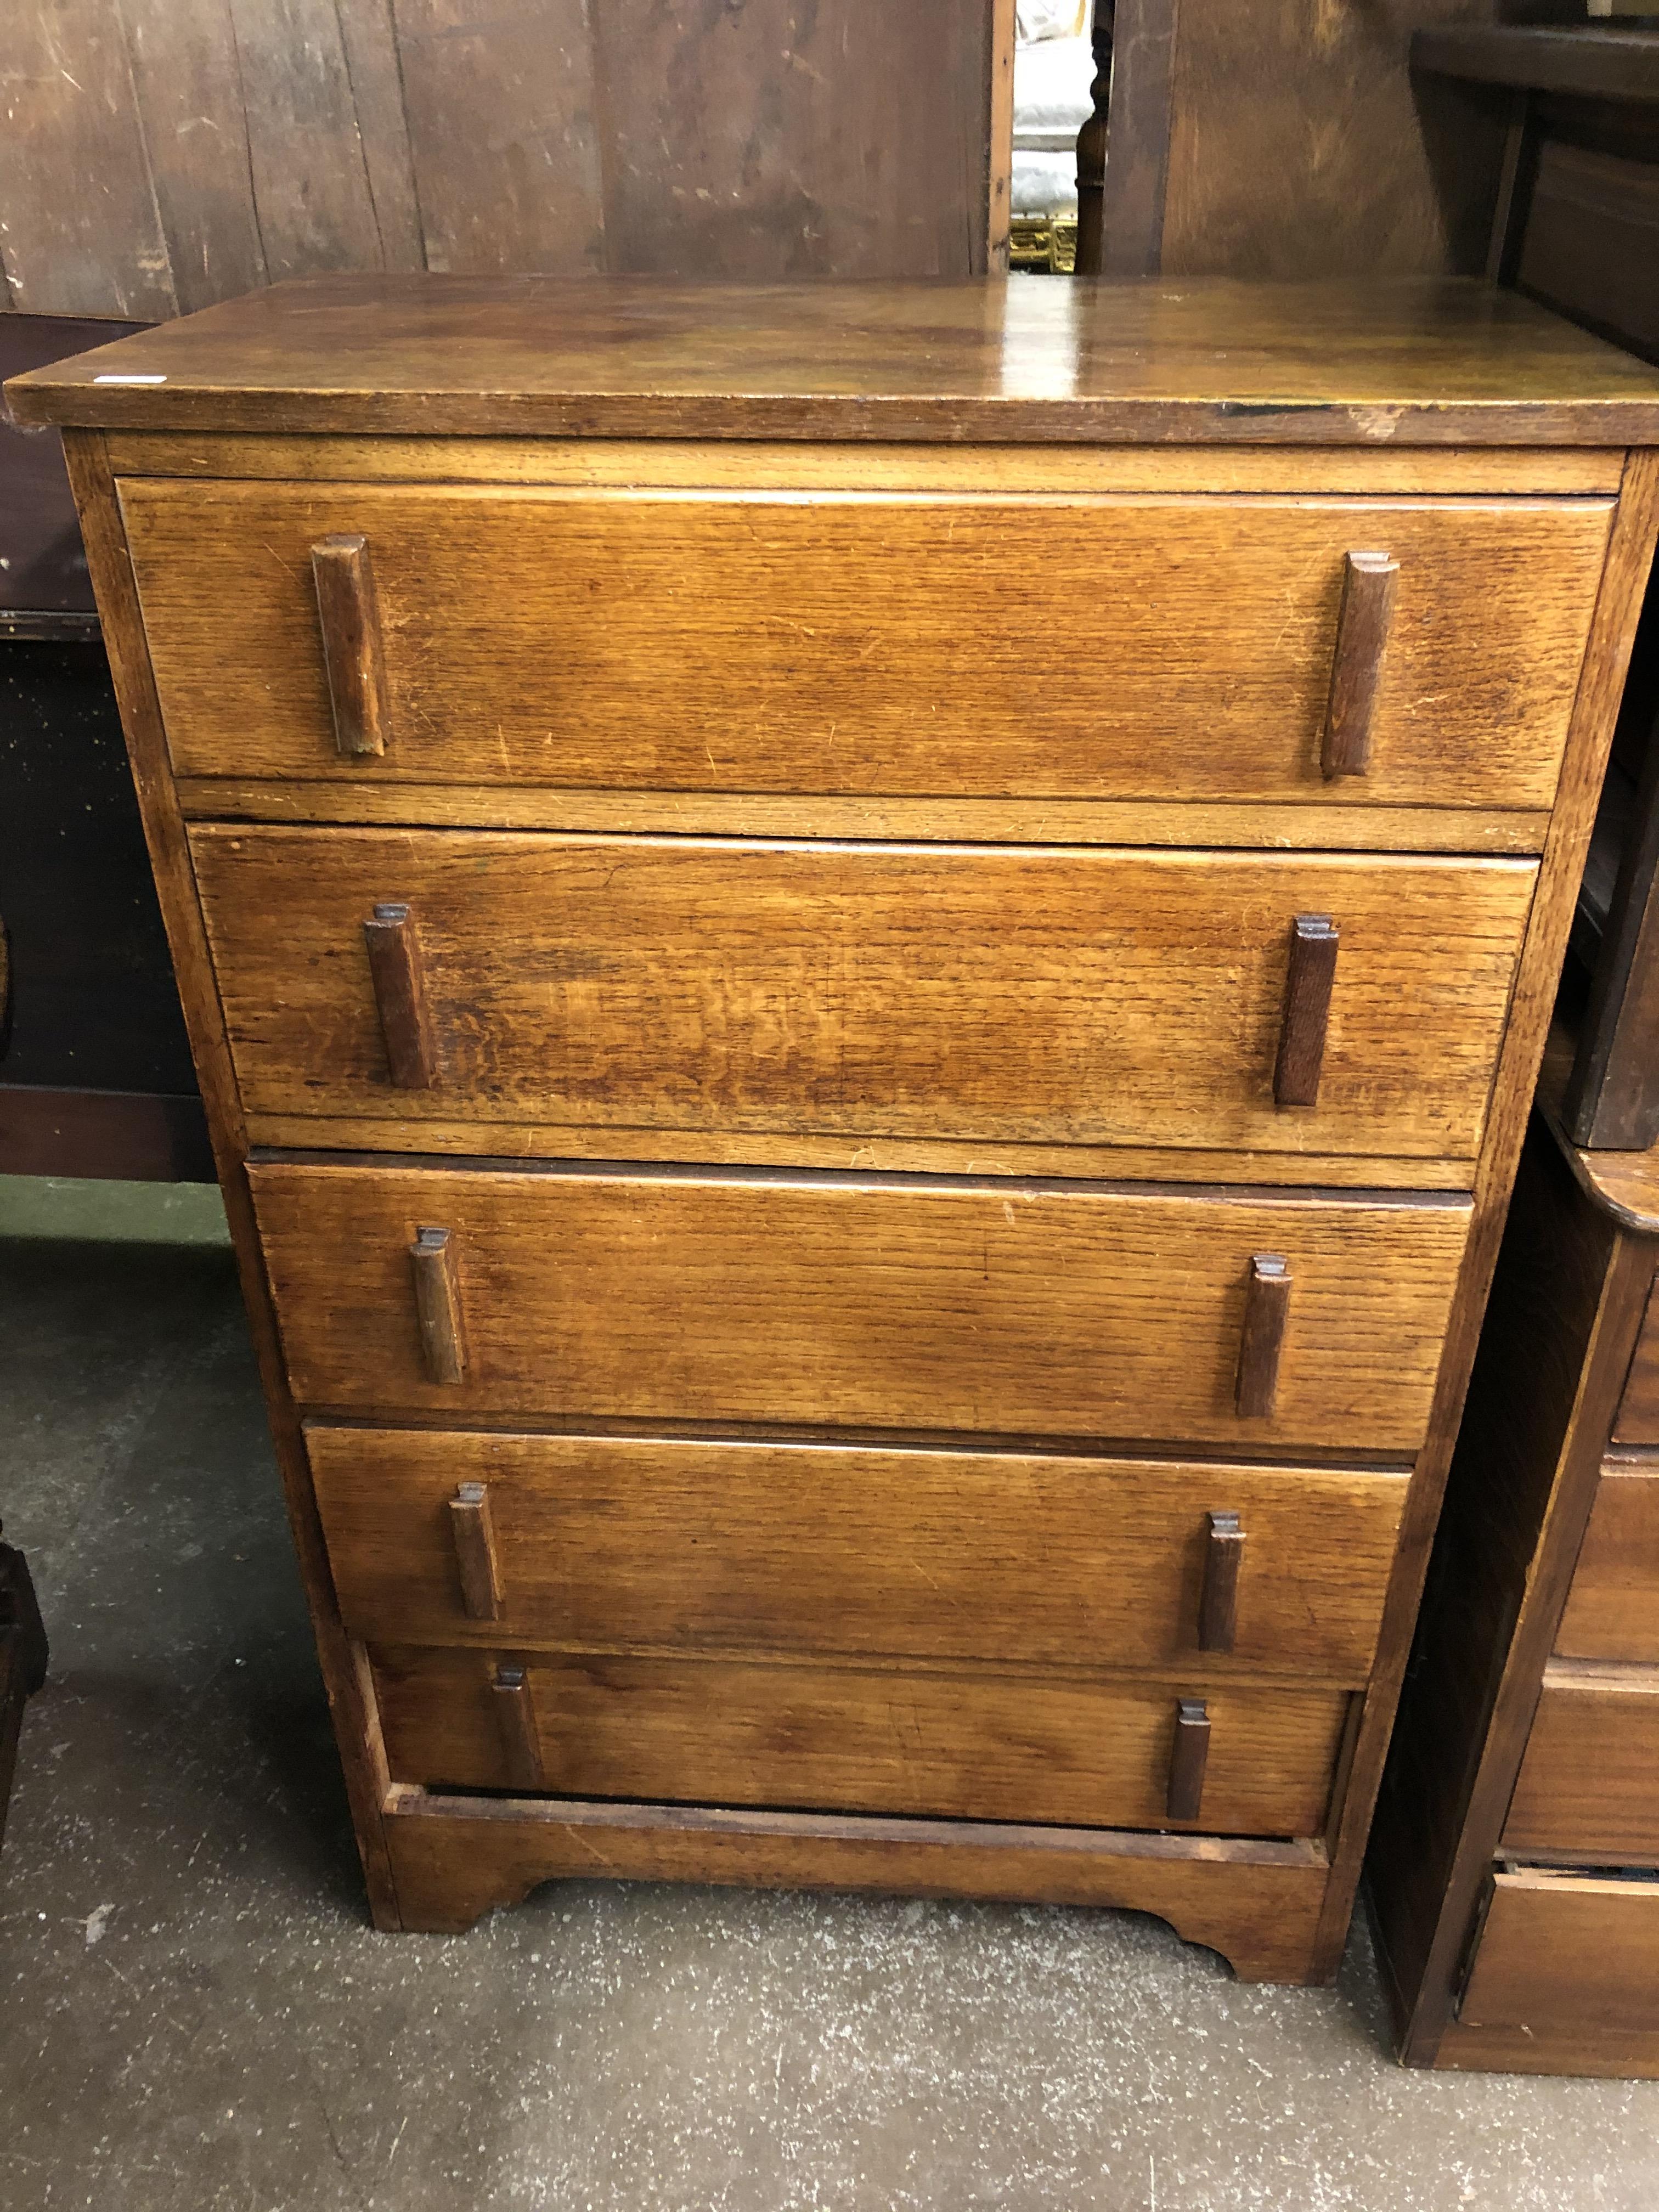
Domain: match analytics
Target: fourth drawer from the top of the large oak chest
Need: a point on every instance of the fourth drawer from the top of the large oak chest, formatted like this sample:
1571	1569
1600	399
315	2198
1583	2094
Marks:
651	1545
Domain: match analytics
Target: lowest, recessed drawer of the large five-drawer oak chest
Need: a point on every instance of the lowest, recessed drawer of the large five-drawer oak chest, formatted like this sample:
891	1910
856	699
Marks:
957	1744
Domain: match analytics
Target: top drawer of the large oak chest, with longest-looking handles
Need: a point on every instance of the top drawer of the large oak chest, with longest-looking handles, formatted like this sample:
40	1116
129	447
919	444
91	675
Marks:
870	643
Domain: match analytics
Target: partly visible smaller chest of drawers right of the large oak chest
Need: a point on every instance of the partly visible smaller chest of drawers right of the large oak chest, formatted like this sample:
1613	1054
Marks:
1516	1855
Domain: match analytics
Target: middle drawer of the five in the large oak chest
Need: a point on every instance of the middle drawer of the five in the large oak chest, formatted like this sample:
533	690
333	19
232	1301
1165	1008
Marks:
997	1308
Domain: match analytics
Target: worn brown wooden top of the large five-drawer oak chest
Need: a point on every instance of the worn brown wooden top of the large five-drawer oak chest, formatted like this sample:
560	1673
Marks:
1430	362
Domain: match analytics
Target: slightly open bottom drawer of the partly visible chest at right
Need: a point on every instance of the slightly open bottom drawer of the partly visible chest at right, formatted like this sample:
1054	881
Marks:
1567	1954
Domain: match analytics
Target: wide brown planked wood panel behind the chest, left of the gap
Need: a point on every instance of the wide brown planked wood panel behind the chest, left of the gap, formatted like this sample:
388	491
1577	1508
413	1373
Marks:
169	154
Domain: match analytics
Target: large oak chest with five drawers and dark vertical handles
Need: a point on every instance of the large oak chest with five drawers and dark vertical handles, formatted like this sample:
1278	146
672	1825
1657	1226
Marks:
868	966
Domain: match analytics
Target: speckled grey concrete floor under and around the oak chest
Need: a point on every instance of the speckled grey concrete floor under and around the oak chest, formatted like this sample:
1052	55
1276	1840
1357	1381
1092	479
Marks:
194	2014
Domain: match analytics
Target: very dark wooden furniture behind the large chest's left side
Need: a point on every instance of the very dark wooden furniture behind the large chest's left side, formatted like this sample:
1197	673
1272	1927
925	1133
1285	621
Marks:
94	1061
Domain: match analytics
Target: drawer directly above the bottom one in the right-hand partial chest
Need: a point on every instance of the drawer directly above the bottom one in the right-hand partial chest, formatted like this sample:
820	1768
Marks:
1592	1773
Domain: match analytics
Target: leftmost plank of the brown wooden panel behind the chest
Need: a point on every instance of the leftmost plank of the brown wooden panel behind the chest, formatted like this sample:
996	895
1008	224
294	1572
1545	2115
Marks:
79	220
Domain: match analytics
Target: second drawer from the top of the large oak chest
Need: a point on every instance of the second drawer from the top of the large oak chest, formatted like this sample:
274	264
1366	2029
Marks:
881	992
